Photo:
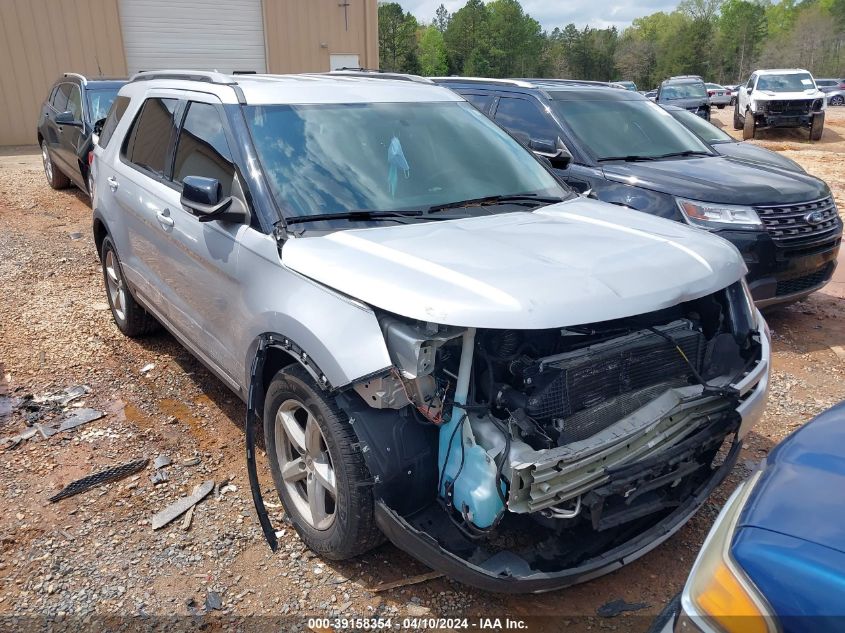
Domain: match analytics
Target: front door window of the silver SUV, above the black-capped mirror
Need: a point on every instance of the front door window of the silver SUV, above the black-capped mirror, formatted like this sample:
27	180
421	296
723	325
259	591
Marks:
202	149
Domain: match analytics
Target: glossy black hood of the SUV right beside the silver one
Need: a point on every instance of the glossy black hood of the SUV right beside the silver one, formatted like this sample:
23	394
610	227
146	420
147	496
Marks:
718	179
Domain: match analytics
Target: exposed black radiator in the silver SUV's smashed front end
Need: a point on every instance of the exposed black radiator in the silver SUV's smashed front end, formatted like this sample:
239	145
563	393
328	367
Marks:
589	379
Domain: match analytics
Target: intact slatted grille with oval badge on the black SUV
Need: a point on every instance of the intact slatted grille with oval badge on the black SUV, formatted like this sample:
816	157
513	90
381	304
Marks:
789	225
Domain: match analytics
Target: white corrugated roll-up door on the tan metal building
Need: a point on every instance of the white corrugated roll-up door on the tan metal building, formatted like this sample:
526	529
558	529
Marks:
197	34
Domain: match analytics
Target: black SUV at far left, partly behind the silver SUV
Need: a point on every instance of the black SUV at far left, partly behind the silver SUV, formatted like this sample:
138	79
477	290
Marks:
67	124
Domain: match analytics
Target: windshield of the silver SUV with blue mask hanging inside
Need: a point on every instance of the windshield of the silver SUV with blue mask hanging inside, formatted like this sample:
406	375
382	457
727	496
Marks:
338	158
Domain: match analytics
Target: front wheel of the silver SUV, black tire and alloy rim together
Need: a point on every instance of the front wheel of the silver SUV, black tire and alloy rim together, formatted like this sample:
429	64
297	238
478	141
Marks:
320	475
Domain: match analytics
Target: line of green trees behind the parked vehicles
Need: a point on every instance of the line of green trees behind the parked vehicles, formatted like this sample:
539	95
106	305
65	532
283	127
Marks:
721	40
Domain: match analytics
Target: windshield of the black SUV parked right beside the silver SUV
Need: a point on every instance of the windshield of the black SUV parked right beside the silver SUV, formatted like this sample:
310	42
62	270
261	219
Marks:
610	129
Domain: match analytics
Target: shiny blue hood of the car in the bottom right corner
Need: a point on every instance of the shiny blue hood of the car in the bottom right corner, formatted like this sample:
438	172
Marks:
802	490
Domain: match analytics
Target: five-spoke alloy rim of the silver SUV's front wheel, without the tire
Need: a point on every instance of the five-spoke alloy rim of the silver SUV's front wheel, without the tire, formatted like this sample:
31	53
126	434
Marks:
305	464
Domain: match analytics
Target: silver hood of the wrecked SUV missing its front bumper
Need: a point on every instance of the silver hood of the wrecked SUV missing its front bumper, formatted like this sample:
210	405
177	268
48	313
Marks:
579	261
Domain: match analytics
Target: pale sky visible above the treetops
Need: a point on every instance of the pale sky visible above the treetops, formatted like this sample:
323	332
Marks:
552	13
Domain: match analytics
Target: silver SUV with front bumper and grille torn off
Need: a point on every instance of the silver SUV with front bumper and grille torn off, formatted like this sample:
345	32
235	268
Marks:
520	386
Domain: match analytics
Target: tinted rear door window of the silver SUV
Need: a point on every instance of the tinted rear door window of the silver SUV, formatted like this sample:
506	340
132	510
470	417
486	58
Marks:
147	142
